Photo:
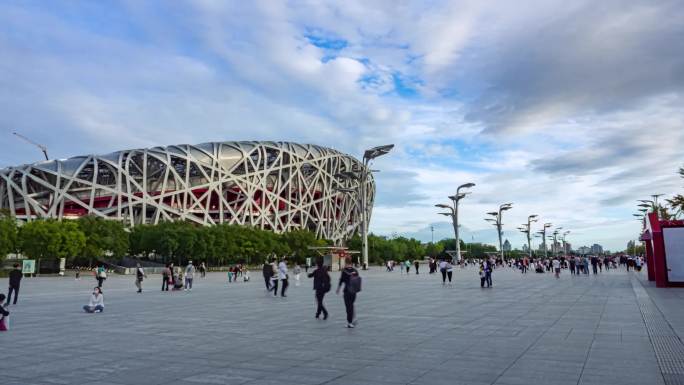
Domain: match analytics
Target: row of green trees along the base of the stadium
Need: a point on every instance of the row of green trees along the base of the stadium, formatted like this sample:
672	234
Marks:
90	239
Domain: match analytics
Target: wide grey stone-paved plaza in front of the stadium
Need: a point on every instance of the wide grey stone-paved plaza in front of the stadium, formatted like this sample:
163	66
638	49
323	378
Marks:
614	328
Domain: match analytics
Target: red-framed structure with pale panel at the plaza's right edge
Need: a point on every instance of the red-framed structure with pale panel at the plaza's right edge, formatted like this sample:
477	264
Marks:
656	251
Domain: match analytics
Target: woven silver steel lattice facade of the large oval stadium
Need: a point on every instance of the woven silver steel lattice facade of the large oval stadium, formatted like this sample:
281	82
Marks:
272	185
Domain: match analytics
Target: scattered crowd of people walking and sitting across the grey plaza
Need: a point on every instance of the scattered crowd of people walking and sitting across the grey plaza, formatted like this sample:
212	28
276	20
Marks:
276	274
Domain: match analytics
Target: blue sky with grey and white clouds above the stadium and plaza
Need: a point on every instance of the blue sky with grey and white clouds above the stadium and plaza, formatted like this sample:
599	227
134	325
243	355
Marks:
569	110
